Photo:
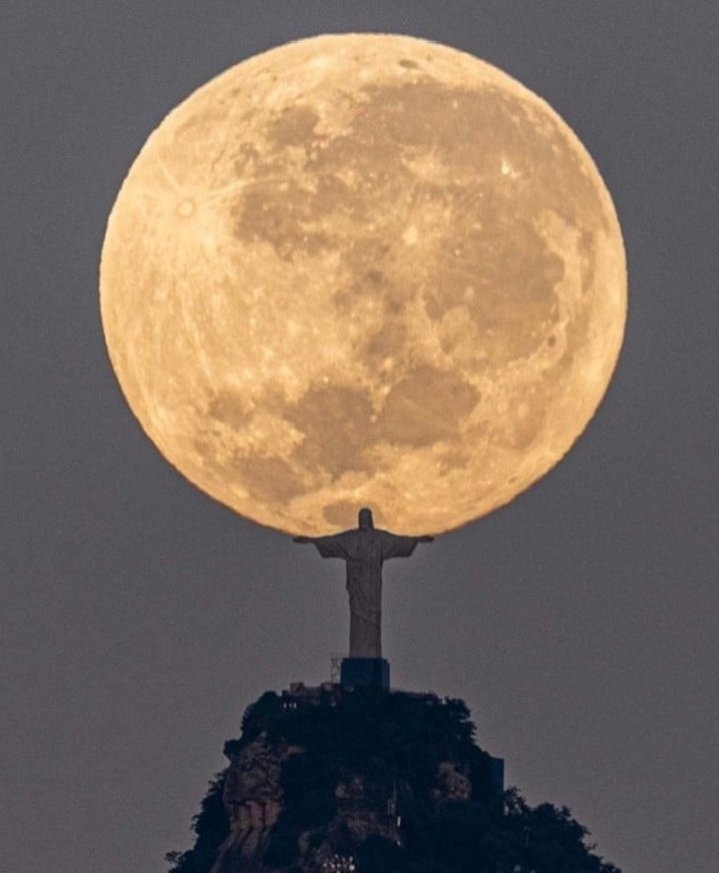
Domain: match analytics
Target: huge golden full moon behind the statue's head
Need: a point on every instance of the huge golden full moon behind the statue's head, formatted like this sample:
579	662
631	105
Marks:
363	270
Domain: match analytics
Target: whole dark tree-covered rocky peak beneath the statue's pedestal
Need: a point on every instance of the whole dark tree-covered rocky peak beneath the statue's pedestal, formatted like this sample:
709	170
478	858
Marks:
322	781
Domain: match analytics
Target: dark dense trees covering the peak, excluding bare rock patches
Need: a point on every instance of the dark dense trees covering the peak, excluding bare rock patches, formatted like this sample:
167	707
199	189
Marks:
394	740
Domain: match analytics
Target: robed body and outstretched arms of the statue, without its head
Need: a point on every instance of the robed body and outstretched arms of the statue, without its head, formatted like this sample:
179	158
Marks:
364	550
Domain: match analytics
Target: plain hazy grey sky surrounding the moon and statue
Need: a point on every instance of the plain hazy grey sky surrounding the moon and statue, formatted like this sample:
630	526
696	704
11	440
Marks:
139	618
